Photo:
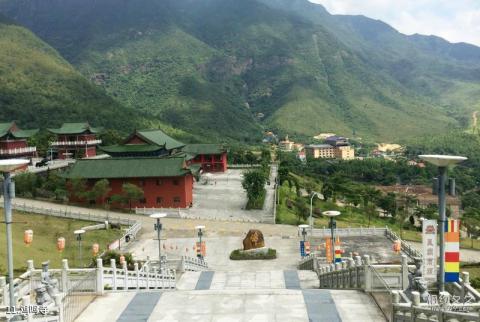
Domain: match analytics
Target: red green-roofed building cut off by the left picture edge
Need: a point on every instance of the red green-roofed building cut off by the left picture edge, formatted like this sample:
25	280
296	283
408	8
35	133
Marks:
13	142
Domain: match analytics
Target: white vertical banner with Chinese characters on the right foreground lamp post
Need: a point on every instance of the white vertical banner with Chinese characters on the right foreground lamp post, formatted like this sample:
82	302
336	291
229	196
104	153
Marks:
429	241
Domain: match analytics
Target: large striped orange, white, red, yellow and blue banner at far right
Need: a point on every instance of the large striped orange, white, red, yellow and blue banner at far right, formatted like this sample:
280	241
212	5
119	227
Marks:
452	251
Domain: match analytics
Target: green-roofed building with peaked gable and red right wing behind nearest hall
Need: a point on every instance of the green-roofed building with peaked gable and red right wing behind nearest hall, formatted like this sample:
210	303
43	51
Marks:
155	143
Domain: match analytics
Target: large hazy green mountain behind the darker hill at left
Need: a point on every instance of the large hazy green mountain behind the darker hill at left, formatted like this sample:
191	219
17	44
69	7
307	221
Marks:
224	67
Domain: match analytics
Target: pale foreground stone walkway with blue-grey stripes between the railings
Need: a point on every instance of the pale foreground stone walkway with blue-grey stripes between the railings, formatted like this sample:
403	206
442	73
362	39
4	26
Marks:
238	296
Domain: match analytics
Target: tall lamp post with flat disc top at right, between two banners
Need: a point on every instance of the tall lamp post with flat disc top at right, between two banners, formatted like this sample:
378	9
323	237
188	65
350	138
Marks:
442	162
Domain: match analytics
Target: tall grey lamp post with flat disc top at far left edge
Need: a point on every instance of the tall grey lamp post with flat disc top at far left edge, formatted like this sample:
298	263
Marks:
7	166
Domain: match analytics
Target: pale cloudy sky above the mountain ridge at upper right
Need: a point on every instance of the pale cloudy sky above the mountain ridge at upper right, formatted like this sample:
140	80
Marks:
454	20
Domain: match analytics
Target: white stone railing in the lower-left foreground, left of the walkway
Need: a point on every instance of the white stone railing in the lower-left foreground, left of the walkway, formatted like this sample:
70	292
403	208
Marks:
89	281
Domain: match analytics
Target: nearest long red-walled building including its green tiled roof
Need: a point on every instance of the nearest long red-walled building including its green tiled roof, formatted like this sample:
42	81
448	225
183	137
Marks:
165	182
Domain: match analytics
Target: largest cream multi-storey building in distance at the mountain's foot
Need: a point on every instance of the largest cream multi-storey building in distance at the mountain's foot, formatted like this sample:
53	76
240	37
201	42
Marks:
335	147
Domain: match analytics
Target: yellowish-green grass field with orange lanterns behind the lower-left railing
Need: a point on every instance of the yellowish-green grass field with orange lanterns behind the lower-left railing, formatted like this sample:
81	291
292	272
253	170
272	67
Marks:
46	231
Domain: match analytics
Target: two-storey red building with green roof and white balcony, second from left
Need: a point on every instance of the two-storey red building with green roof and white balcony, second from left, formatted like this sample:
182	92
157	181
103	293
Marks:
75	141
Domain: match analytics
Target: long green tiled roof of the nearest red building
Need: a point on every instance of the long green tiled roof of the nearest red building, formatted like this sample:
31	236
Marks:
128	168
